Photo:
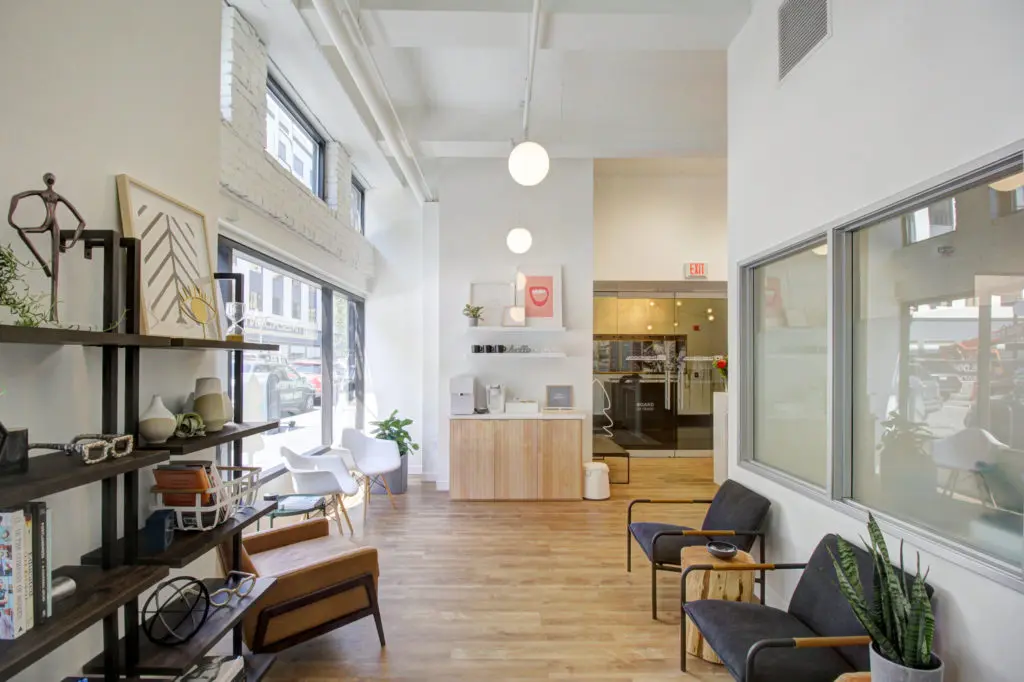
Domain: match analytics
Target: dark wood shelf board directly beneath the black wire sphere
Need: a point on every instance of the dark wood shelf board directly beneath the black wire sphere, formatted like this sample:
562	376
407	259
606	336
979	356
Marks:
172	661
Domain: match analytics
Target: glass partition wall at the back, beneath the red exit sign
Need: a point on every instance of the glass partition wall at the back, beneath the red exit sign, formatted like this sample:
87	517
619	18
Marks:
654	365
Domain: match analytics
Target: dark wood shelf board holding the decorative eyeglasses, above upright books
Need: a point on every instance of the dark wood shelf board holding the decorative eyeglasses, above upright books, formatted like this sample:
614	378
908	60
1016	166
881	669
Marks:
56	473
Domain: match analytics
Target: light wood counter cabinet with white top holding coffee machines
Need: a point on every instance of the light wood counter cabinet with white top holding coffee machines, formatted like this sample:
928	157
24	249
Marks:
518	457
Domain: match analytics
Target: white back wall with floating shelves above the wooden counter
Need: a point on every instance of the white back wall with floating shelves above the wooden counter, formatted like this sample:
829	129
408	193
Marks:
480	203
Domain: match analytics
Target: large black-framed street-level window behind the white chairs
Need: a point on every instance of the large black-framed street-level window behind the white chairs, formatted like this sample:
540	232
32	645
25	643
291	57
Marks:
290	385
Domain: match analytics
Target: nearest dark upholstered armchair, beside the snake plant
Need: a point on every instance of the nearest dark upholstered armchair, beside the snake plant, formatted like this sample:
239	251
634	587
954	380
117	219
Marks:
818	640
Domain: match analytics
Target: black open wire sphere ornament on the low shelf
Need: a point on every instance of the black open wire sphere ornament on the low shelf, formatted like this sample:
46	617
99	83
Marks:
176	612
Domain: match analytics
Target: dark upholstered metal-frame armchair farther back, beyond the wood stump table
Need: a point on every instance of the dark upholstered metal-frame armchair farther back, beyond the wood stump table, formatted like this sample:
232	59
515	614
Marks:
737	516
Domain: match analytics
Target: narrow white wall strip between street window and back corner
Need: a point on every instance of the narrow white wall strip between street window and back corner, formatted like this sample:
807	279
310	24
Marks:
395	337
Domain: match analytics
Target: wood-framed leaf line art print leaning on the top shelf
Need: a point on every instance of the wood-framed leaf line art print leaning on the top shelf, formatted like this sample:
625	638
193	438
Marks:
179	295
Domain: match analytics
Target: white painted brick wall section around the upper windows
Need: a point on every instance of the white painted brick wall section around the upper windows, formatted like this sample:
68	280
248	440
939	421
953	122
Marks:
255	179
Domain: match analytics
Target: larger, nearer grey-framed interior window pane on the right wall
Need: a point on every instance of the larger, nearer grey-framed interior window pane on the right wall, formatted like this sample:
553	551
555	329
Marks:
938	368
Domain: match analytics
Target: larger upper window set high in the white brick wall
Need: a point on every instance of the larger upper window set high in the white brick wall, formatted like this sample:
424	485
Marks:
292	141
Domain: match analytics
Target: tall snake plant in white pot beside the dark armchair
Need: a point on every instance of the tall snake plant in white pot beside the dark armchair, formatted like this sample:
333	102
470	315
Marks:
900	619
